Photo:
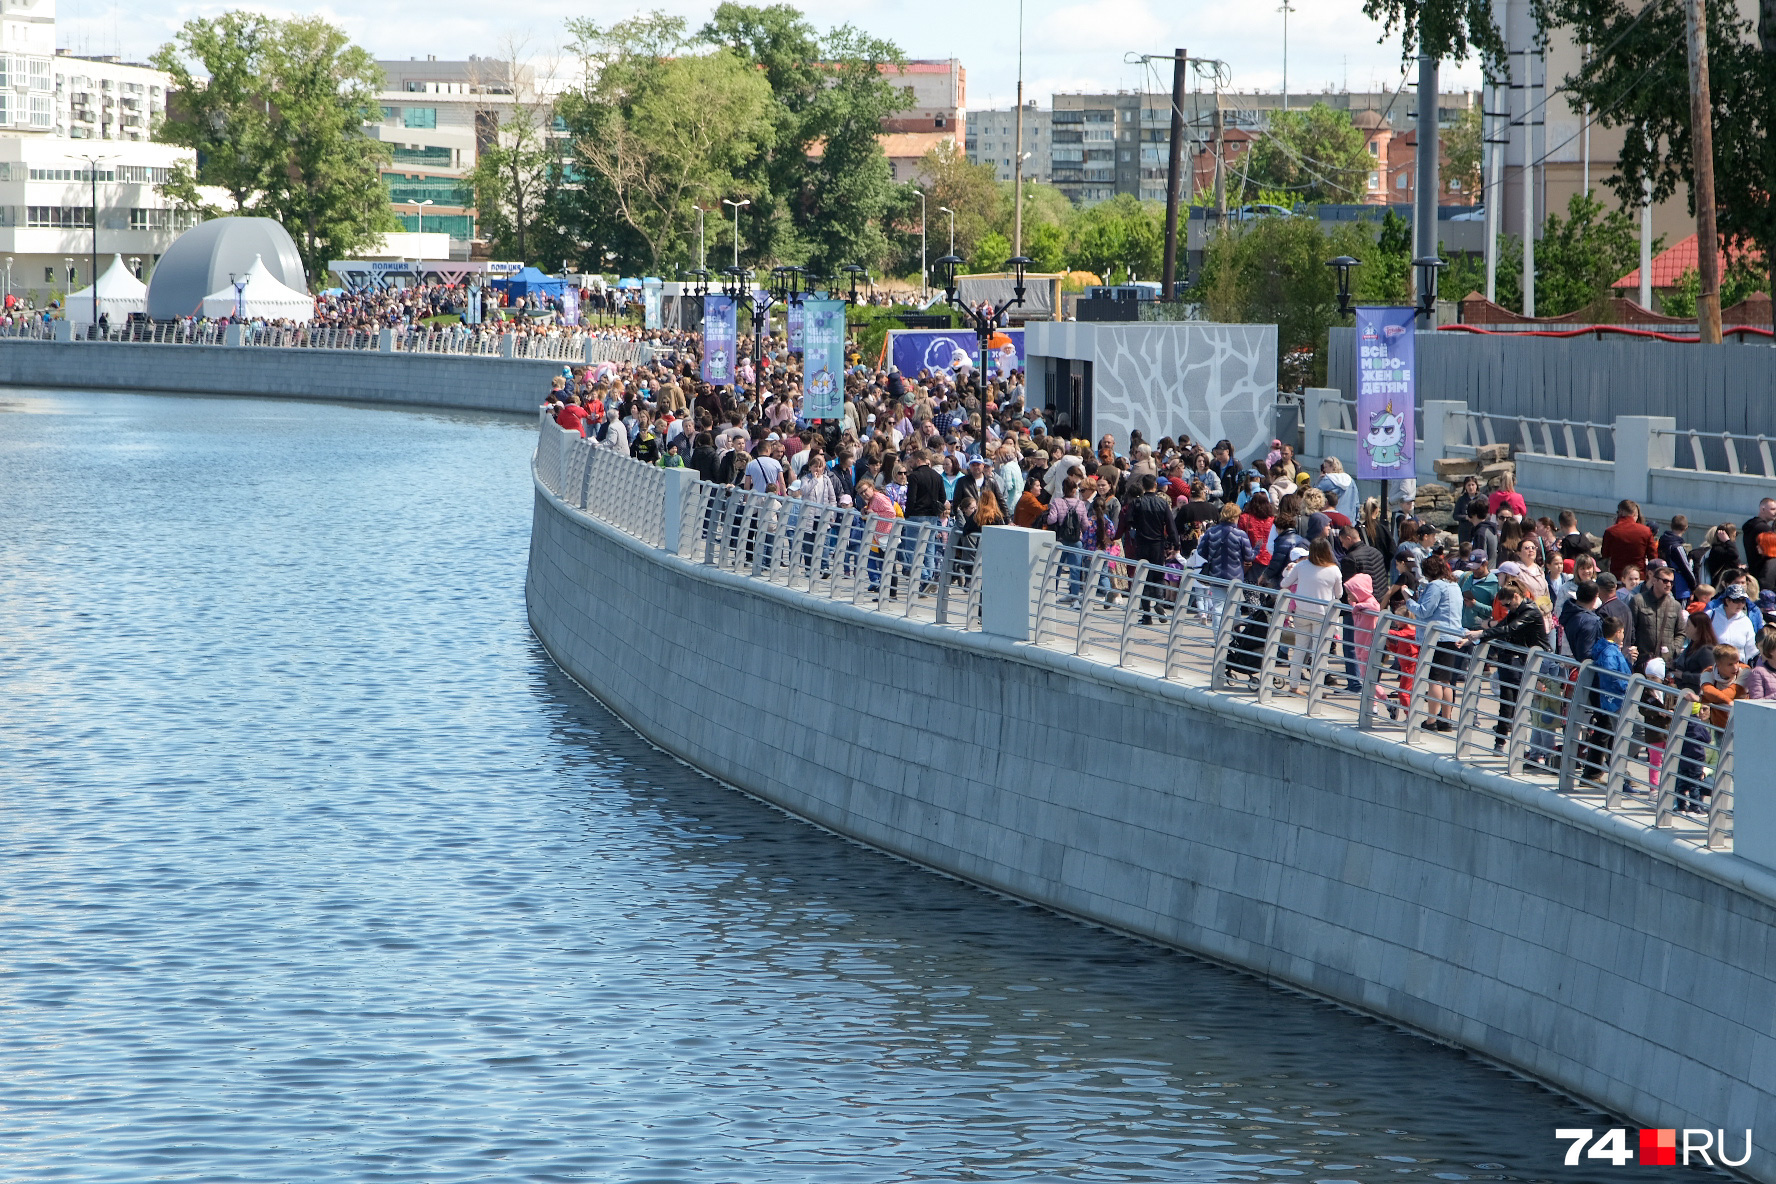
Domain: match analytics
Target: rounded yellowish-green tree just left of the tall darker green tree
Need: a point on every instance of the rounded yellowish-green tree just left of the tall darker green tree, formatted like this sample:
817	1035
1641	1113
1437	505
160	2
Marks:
663	130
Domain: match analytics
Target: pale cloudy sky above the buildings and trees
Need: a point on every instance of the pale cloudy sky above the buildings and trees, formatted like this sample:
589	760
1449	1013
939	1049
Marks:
1070	45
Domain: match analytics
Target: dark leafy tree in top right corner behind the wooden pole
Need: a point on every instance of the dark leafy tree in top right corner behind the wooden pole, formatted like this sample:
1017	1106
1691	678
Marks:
1638	81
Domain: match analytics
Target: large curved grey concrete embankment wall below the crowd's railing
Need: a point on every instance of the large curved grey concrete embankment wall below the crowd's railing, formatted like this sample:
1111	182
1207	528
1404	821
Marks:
1594	954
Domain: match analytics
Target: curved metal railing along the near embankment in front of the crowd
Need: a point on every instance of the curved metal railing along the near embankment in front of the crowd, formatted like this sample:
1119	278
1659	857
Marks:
1621	743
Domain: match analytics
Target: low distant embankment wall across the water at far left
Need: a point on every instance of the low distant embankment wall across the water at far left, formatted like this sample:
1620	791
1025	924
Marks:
337	375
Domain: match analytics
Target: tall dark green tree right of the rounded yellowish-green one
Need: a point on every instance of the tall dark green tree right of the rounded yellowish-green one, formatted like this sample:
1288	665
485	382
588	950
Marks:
821	187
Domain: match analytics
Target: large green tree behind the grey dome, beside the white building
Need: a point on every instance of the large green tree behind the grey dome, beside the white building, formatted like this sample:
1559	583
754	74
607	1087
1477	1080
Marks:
283	130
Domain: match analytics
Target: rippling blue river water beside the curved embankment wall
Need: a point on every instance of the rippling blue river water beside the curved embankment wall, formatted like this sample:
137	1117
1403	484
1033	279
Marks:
313	867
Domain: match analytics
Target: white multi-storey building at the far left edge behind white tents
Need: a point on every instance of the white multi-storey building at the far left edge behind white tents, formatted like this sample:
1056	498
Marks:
65	120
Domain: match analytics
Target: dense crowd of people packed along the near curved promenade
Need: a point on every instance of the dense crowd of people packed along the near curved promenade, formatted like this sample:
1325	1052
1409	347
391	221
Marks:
960	454
